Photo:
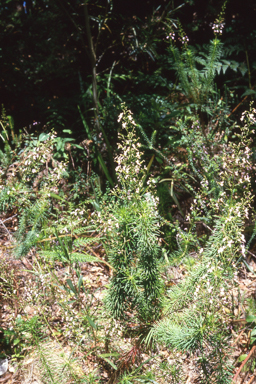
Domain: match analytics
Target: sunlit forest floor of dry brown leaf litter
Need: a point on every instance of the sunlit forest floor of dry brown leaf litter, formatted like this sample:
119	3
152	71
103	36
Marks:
95	357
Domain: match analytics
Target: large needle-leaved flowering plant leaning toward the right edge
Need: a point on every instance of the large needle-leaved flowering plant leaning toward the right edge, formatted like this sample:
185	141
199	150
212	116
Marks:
198	308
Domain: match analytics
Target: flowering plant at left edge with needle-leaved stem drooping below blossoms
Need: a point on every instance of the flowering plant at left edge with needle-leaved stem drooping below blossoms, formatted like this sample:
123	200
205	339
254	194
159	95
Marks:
28	184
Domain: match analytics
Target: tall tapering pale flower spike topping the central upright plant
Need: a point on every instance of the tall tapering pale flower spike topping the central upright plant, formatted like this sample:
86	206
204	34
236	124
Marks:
132	187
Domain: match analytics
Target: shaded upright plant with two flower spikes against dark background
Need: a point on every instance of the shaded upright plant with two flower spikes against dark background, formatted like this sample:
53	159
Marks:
196	71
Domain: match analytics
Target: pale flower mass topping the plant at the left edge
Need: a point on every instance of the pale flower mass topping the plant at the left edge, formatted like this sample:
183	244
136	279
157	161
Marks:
33	171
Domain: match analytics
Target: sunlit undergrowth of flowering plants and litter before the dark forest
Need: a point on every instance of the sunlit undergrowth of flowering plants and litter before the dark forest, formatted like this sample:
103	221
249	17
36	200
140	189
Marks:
98	301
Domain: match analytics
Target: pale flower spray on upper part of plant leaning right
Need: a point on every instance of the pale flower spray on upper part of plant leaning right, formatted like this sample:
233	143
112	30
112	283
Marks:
232	193
